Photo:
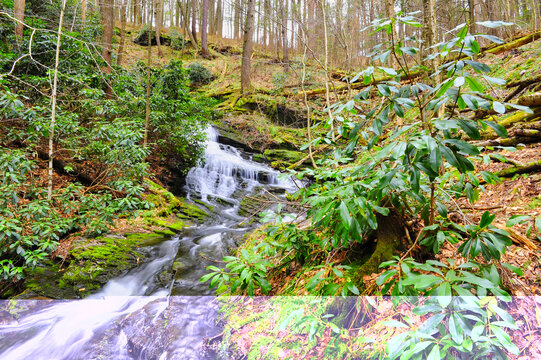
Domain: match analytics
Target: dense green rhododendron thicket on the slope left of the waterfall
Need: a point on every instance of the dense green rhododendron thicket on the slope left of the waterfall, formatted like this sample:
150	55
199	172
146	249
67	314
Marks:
99	159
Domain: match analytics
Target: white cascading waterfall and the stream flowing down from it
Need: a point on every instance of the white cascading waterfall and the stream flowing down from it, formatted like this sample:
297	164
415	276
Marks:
159	310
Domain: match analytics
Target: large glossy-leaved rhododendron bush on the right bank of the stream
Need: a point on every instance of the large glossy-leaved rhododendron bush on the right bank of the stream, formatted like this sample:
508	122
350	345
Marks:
394	180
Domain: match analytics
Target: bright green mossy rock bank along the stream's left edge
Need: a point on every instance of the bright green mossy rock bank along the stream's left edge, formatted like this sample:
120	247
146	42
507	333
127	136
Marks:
92	261
